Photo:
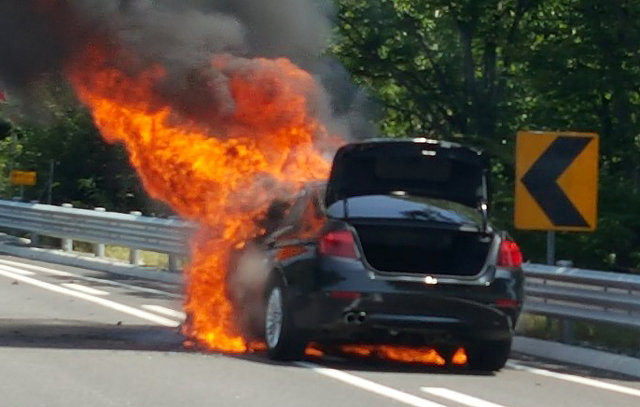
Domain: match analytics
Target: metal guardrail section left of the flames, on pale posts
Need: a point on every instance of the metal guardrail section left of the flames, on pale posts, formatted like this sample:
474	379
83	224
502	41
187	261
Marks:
170	236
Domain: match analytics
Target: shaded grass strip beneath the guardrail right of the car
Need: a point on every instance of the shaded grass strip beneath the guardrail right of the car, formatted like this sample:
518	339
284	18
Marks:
600	336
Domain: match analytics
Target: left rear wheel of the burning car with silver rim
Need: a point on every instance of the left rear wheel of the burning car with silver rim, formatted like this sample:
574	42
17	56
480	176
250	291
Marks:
283	340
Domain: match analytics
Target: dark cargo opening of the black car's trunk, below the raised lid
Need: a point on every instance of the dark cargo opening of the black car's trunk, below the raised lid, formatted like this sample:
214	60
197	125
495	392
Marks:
411	249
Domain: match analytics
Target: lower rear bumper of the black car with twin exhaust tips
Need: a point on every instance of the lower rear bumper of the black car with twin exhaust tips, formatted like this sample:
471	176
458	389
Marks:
373	320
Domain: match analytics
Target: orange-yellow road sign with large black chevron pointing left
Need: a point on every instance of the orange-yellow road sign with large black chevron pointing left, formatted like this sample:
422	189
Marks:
556	181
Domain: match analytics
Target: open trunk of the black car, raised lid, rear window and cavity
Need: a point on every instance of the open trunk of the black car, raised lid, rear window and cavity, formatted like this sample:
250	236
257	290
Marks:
419	206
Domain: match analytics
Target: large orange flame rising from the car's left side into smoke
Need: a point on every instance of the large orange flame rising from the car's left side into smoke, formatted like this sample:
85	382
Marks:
222	175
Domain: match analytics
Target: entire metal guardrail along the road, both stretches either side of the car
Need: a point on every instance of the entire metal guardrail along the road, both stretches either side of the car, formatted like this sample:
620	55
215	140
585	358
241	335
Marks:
559	292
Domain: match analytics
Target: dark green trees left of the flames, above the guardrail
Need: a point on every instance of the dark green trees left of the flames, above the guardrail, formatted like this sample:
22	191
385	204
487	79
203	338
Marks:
87	172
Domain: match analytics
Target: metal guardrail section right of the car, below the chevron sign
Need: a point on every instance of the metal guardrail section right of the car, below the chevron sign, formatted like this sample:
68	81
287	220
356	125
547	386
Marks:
584	295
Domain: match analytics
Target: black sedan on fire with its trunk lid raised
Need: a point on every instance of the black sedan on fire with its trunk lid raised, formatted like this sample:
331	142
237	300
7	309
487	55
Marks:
395	248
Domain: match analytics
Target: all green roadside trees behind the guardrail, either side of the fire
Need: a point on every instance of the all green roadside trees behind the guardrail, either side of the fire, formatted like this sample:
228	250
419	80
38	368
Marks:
468	70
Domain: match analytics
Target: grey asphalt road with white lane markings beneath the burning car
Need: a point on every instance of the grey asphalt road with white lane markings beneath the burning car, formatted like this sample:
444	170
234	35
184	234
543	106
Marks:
73	337
